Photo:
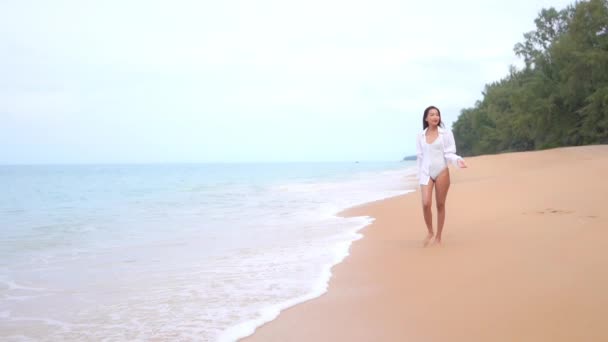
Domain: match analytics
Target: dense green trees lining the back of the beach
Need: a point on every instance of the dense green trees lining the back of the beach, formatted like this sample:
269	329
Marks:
560	96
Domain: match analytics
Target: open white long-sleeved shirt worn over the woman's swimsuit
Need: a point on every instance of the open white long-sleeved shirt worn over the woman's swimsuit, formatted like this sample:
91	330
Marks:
422	153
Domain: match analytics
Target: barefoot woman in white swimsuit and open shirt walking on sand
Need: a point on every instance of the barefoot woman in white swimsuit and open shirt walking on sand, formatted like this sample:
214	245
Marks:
435	147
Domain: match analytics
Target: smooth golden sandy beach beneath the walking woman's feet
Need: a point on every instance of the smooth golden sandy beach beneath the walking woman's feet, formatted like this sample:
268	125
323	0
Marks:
524	258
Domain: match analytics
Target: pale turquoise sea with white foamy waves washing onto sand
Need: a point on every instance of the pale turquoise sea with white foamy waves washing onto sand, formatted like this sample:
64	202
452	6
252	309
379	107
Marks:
188	252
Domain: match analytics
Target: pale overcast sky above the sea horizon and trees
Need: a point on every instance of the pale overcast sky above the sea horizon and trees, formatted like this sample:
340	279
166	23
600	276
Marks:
243	81
